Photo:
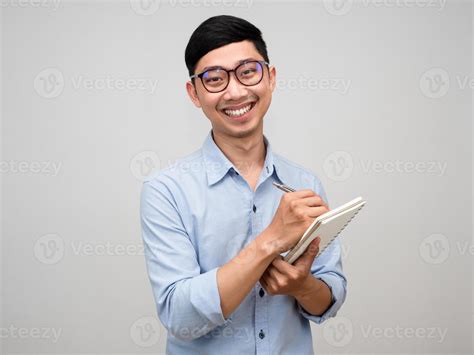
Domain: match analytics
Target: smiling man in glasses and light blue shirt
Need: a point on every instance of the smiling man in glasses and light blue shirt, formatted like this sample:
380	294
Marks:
215	227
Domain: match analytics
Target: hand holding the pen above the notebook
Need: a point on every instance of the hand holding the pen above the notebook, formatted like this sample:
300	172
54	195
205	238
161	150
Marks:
296	212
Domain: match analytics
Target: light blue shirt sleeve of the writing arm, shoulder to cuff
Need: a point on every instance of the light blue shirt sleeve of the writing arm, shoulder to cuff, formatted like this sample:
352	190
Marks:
187	301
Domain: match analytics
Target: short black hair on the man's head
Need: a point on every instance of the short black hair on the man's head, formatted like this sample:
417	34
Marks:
219	31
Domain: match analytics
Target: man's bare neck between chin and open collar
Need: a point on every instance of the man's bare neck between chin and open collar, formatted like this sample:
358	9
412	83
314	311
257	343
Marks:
246	153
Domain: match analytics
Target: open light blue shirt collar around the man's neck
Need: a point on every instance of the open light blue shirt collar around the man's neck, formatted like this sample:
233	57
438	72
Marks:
217	165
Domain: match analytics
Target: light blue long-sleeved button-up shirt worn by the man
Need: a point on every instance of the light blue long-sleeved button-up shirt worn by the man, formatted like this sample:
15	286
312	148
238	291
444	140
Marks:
196	216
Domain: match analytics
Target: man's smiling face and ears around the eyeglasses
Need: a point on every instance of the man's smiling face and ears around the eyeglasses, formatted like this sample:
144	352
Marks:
227	110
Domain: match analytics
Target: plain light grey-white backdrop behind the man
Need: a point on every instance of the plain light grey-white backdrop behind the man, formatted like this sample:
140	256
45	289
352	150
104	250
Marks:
373	96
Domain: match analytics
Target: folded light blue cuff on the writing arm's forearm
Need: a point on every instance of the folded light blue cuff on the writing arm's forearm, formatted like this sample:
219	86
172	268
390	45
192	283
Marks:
205	297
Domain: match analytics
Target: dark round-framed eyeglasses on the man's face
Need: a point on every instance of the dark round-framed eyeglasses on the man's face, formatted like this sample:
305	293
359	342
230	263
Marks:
216	79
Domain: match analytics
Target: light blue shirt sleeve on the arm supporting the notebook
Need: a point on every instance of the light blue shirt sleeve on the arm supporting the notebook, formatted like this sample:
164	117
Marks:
328	268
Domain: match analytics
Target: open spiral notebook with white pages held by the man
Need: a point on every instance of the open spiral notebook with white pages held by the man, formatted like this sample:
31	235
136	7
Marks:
327	226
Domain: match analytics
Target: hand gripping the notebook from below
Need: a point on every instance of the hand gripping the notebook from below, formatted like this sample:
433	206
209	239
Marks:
282	278
